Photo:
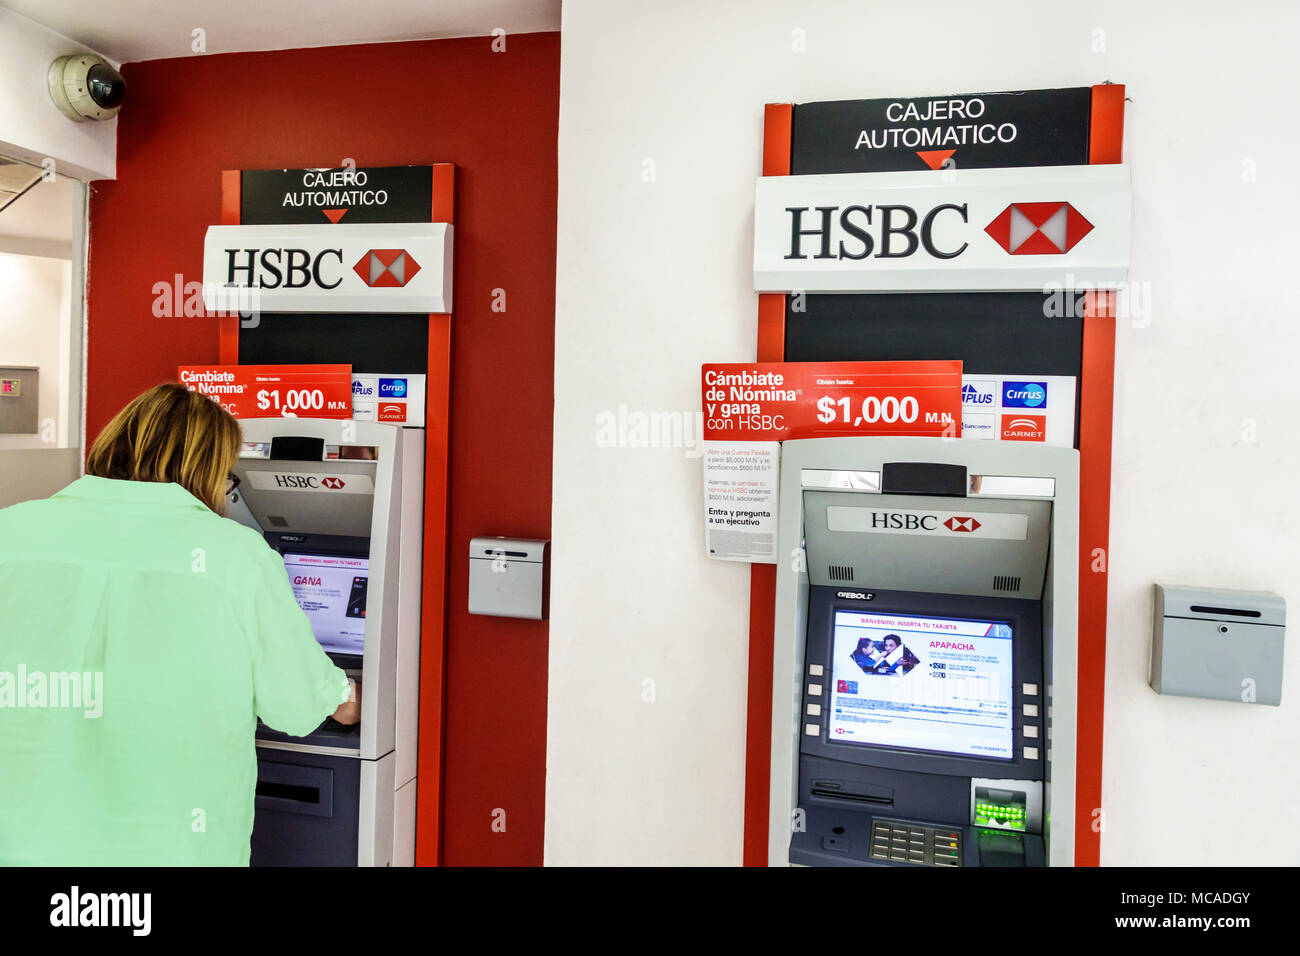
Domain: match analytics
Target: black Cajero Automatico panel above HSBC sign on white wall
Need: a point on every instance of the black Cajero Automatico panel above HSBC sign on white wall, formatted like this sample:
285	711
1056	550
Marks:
1037	128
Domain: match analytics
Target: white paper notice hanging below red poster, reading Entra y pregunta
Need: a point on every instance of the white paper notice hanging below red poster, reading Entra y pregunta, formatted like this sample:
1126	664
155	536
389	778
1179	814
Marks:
742	492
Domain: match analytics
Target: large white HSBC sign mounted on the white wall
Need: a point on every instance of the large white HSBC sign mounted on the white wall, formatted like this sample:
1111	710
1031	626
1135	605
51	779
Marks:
947	231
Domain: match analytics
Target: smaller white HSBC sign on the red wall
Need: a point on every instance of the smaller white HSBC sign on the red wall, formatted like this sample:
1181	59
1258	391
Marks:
346	267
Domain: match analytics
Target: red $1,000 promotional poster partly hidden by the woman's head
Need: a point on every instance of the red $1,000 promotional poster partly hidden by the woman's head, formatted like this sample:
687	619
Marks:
270	392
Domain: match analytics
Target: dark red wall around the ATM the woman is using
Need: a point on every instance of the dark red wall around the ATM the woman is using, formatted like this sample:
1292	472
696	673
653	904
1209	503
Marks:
495	116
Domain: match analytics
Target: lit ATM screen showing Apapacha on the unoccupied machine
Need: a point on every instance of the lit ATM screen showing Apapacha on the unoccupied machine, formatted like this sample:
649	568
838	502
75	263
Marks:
941	685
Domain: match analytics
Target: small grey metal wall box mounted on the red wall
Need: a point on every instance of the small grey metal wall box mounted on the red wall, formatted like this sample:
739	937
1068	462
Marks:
510	578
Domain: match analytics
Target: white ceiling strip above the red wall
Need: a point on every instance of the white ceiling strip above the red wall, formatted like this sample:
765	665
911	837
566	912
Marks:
131	31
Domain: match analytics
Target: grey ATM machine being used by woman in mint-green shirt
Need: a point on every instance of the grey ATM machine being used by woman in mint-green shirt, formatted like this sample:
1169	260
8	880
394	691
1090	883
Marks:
343	503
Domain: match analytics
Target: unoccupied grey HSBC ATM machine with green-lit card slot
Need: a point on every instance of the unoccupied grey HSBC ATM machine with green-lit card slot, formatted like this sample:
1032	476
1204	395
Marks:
924	702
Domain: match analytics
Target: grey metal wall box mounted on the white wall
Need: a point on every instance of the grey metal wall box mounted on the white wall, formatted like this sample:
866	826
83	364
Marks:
1217	643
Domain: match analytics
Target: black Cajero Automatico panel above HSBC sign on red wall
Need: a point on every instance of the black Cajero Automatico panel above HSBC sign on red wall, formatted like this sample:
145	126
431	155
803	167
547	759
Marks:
378	194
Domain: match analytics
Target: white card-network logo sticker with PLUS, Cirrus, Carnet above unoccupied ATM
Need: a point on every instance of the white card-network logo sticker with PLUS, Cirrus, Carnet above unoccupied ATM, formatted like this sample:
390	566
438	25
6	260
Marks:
1020	408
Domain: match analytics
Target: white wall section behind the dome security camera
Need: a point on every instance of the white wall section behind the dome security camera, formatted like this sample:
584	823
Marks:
32	128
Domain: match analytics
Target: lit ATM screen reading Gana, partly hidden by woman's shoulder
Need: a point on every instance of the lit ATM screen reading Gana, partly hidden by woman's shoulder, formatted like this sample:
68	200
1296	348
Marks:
331	590
